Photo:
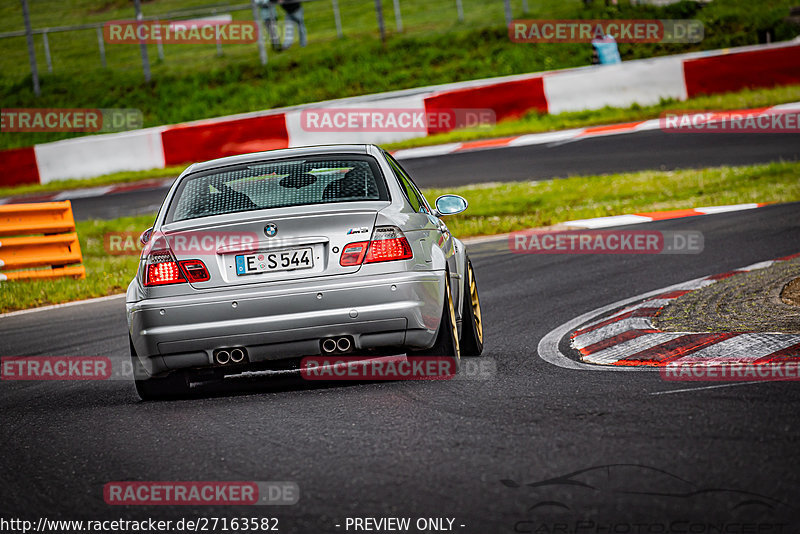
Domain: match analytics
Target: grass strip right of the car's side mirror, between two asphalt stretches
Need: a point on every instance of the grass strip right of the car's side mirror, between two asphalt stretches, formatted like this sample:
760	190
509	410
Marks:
505	207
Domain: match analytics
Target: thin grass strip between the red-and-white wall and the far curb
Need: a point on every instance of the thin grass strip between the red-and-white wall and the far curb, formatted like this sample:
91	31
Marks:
530	123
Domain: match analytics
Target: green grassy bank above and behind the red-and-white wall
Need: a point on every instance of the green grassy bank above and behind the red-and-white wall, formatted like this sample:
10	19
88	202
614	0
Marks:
193	83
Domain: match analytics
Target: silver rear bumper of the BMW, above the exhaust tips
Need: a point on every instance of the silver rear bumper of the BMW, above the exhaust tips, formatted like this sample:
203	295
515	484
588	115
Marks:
287	320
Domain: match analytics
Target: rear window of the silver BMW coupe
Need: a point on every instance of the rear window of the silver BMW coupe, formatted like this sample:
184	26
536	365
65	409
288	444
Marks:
278	184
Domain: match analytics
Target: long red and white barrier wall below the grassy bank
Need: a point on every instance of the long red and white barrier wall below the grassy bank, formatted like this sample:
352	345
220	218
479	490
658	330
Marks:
645	82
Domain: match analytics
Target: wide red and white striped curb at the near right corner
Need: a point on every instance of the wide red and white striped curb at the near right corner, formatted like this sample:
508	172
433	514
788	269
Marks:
627	340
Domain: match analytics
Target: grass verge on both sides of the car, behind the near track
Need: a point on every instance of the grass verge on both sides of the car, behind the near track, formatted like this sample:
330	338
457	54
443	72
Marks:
494	208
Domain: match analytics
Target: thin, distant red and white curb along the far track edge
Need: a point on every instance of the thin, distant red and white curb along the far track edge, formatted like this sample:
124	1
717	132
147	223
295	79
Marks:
564	136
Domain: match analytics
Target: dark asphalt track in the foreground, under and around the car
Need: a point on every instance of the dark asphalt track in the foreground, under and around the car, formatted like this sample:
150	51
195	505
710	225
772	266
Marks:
464	449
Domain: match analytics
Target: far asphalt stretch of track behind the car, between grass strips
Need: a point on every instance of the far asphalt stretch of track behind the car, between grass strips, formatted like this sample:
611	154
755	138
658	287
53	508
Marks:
596	155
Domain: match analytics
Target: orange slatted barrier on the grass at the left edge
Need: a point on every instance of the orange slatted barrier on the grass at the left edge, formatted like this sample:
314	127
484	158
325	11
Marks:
51	255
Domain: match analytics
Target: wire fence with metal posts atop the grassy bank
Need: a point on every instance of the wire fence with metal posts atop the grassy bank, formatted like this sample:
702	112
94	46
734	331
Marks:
73	42
